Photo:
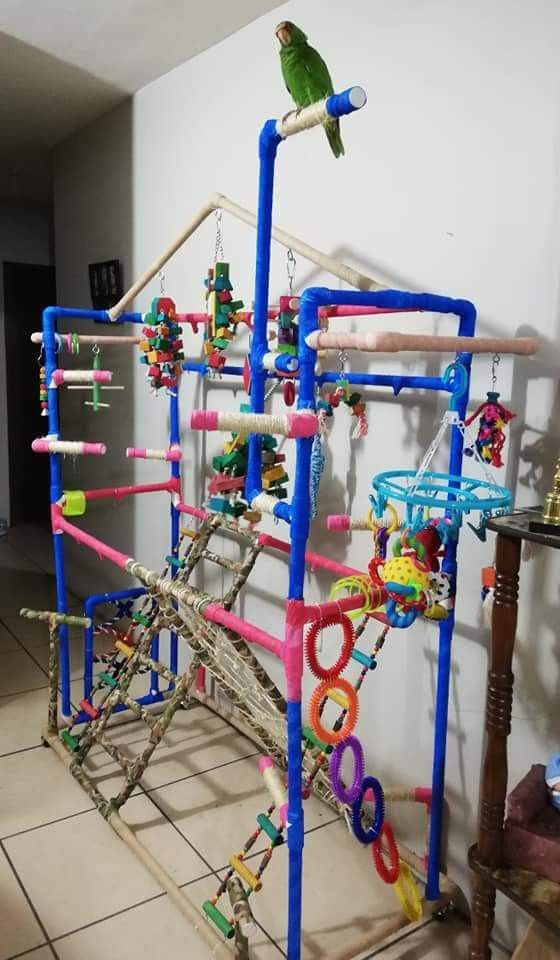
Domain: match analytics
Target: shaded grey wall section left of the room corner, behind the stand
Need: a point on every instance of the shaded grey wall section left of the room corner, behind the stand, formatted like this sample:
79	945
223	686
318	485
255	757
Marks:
83	186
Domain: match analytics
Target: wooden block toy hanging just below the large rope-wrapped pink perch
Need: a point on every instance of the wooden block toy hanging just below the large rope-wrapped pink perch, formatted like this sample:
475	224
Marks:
226	487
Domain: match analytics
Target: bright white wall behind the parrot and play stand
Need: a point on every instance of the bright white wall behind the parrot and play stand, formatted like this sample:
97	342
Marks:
449	184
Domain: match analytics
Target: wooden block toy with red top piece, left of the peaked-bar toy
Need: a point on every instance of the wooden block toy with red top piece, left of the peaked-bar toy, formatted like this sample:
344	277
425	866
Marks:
162	348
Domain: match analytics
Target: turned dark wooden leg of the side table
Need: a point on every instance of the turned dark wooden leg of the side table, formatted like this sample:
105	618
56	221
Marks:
498	725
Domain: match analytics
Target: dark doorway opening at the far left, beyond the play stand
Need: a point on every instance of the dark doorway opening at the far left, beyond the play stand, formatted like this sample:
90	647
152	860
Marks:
28	288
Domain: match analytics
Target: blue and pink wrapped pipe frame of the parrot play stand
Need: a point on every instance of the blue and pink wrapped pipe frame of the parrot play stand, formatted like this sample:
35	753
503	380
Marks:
179	600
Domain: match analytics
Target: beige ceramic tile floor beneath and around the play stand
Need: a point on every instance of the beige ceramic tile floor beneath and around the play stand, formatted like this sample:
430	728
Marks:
71	890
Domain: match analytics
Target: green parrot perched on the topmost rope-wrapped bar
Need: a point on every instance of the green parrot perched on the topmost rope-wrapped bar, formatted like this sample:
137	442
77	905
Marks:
306	76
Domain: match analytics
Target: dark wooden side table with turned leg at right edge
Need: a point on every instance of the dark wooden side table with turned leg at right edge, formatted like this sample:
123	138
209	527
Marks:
540	898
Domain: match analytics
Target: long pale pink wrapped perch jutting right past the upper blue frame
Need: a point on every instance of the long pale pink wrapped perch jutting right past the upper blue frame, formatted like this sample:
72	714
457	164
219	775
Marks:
392	342
